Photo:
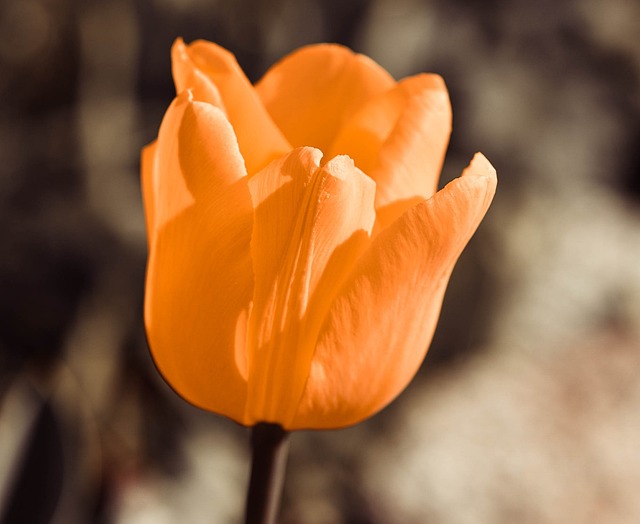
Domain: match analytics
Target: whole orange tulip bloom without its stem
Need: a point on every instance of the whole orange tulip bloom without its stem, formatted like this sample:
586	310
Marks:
298	249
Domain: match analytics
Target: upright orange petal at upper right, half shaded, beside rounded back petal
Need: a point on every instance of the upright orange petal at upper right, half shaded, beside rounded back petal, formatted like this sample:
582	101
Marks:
399	139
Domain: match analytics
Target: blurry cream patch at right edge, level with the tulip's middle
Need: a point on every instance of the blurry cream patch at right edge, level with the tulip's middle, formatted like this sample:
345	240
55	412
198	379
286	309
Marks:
570	269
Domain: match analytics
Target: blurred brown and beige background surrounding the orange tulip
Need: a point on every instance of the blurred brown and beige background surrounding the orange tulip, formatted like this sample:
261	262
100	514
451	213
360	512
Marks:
527	408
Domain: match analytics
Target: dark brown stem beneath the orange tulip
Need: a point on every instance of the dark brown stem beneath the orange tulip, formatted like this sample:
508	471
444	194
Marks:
270	445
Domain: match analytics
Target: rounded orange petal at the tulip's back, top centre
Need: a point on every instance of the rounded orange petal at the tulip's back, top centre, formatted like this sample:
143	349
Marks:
311	92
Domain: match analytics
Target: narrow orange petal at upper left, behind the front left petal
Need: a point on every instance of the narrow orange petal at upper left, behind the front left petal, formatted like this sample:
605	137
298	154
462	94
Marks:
215	77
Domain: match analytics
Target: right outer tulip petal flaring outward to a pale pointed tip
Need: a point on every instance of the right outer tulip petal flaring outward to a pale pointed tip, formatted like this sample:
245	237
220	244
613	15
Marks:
378	329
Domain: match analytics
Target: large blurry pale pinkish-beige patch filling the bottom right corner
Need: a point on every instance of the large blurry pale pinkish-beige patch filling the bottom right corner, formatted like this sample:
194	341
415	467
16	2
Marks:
512	438
